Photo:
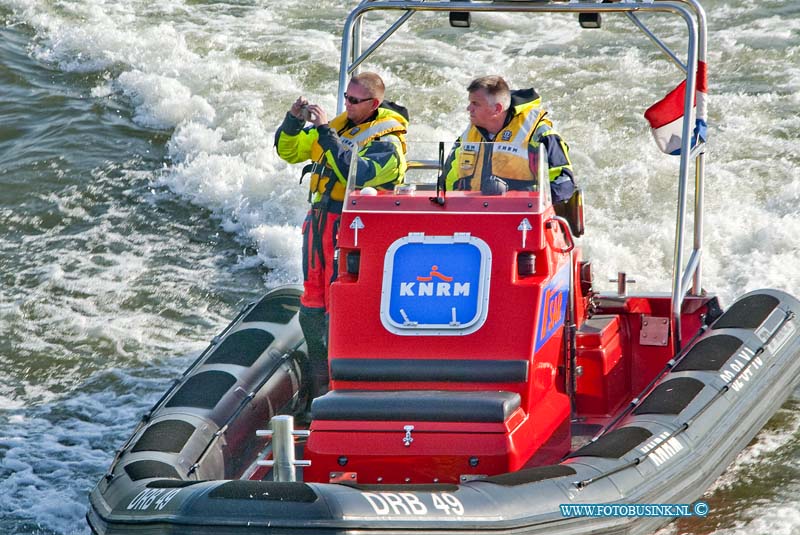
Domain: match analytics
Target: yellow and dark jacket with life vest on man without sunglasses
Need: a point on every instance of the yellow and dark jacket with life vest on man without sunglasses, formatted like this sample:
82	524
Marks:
478	161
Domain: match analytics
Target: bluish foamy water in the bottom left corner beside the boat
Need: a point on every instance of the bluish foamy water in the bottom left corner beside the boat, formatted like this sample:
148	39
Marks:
51	454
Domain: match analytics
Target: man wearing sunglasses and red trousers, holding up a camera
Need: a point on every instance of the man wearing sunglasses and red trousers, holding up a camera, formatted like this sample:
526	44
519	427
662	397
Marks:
376	129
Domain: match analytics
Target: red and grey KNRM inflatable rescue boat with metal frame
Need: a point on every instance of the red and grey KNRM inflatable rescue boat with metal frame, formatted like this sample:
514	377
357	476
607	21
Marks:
478	381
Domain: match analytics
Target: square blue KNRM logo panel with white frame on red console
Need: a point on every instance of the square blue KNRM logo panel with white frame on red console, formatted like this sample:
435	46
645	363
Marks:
435	283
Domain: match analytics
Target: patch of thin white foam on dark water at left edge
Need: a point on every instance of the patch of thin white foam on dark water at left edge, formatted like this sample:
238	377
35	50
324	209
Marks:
69	294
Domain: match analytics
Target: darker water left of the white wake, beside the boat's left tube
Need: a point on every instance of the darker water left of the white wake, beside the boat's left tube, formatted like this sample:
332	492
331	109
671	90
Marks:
109	285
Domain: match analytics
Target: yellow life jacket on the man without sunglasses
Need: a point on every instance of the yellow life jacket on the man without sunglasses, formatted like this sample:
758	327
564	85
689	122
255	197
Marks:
507	156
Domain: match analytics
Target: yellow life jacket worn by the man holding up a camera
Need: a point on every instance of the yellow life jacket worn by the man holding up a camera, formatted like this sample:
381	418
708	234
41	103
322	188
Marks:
325	173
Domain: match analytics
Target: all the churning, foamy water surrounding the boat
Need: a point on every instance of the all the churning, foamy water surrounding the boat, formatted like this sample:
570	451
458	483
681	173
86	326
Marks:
141	205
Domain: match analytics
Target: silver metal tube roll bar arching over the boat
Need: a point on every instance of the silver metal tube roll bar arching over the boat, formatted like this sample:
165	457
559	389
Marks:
685	278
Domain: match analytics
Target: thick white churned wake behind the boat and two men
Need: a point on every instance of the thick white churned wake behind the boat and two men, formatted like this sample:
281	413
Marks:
203	72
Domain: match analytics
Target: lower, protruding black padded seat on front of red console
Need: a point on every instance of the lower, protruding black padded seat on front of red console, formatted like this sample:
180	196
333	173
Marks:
415	405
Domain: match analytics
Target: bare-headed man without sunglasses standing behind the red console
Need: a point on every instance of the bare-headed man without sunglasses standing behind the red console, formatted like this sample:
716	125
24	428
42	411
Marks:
499	150
